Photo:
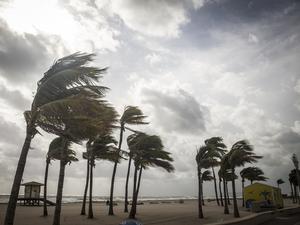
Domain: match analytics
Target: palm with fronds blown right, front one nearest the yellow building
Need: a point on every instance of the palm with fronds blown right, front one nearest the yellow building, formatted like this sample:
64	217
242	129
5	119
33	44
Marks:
241	153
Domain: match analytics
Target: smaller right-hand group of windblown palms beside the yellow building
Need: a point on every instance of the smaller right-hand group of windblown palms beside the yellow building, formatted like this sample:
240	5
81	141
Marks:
214	154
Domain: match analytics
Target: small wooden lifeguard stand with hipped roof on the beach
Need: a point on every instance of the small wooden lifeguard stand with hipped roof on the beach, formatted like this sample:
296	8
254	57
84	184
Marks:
31	193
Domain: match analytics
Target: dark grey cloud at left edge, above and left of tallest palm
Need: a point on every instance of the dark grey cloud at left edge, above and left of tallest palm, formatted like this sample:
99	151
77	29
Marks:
23	54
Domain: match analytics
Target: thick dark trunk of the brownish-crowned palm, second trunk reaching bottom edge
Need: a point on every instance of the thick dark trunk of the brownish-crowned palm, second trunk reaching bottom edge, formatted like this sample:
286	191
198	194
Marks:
56	220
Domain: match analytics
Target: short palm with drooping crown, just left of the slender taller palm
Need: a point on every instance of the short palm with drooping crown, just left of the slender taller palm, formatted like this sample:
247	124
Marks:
102	148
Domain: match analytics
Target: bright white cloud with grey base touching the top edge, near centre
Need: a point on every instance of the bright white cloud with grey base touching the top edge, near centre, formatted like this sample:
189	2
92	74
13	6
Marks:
155	18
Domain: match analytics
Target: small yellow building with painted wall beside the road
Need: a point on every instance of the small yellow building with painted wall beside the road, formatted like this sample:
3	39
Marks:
267	196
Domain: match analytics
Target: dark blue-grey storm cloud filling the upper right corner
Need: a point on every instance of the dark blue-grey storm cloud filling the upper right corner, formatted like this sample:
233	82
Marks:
274	17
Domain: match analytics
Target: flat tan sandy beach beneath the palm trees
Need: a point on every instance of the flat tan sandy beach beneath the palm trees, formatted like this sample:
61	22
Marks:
154	212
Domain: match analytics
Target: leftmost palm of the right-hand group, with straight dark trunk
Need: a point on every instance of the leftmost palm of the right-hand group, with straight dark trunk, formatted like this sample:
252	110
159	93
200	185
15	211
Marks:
203	159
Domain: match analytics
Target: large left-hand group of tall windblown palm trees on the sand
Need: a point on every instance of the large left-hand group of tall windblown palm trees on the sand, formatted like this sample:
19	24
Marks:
70	104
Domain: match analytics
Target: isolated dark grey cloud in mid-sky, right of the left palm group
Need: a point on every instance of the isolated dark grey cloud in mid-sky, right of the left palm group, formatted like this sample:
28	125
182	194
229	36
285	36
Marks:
177	111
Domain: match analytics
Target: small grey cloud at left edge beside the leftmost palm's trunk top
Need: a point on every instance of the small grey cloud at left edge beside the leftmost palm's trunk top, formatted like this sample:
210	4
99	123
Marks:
14	98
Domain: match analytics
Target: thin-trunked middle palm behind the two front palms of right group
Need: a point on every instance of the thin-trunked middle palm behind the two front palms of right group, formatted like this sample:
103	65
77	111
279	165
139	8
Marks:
216	144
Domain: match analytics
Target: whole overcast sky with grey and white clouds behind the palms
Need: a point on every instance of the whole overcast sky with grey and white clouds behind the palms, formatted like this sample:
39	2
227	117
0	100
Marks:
197	68
